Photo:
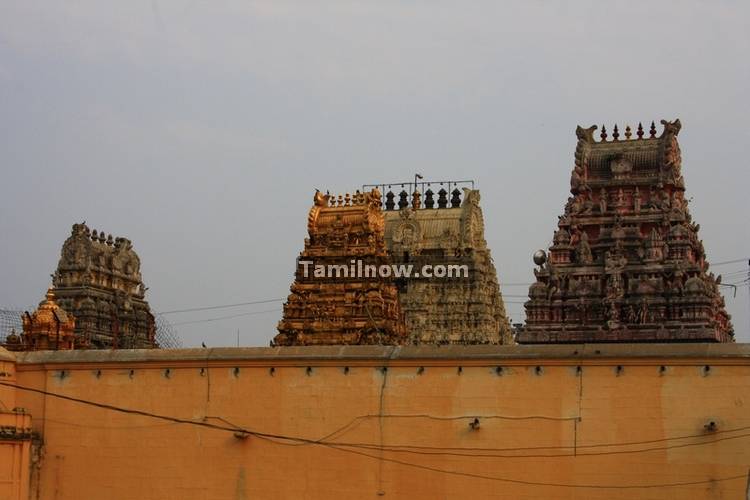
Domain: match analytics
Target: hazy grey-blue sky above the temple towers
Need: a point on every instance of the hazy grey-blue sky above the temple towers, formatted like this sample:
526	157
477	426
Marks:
200	130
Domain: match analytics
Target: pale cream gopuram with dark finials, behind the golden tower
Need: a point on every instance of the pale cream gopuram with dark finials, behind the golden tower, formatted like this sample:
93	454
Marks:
430	225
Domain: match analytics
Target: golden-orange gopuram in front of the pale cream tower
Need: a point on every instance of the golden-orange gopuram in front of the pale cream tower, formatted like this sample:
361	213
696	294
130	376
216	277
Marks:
339	305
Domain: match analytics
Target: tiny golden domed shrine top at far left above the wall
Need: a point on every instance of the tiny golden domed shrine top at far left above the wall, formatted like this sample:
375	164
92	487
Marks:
49	328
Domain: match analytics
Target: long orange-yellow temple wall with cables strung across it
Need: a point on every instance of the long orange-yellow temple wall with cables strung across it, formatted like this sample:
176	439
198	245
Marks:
648	394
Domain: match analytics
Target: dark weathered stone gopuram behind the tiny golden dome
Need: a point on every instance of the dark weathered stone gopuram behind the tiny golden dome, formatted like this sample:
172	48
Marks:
98	280
